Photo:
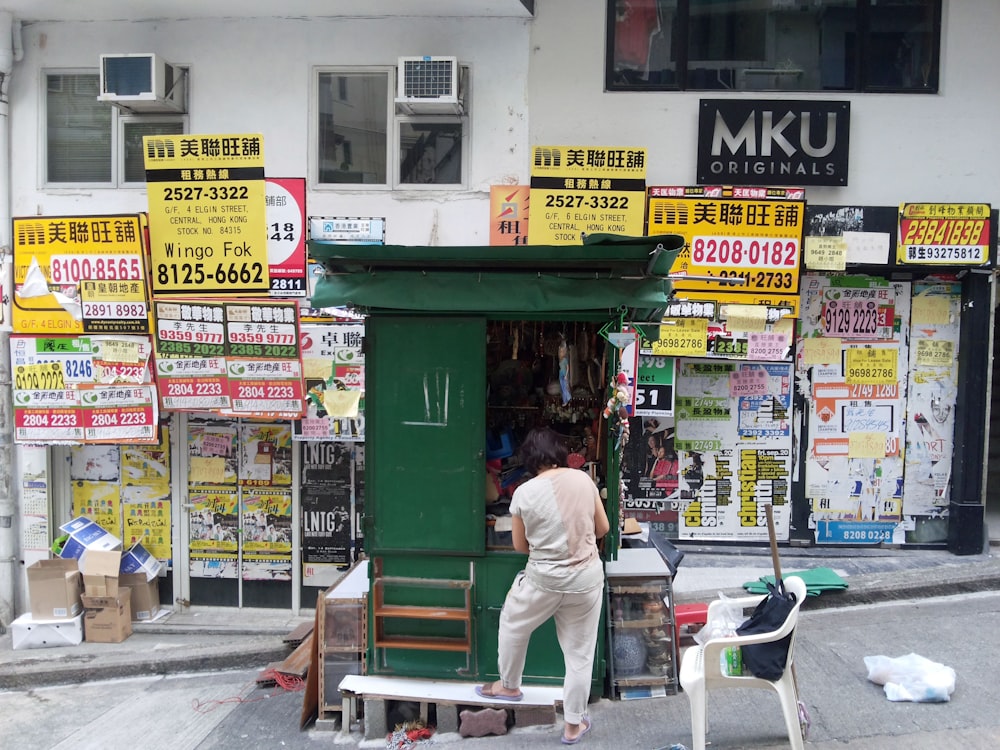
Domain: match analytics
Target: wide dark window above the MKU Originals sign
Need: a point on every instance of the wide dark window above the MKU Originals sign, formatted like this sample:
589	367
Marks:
773	45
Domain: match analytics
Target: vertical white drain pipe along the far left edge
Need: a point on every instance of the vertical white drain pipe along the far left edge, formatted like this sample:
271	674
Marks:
10	51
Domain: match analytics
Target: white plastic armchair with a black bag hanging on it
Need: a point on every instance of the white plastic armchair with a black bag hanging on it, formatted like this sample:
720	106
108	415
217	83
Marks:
701	669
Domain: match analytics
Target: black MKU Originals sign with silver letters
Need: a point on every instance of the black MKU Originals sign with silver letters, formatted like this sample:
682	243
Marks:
772	142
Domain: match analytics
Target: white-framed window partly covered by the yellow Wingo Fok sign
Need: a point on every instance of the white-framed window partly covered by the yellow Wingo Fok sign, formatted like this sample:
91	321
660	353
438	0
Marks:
88	142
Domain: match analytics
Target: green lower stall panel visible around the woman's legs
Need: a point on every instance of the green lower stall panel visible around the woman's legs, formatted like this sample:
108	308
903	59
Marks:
544	663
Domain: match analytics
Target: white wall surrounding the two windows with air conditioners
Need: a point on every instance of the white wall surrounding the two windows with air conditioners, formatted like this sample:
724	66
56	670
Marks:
254	77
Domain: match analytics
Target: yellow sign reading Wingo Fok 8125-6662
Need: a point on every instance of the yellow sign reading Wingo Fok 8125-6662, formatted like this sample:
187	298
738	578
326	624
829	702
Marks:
207	225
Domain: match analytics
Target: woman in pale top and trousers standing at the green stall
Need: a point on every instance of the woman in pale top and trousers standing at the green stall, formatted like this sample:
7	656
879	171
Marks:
557	519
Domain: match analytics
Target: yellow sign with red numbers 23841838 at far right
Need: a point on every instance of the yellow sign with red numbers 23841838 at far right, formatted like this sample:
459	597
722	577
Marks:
951	234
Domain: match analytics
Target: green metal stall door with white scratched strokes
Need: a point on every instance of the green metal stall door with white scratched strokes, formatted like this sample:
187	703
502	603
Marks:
426	406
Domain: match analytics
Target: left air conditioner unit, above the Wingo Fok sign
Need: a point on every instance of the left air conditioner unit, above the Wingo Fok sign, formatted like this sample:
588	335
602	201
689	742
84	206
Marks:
143	83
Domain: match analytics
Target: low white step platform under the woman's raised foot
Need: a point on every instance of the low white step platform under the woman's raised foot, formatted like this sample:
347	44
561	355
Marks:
442	691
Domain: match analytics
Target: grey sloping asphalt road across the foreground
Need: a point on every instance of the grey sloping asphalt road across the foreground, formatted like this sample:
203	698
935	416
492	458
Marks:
222	710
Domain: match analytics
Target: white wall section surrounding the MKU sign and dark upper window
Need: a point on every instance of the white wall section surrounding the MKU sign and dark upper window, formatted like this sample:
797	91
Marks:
903	147
